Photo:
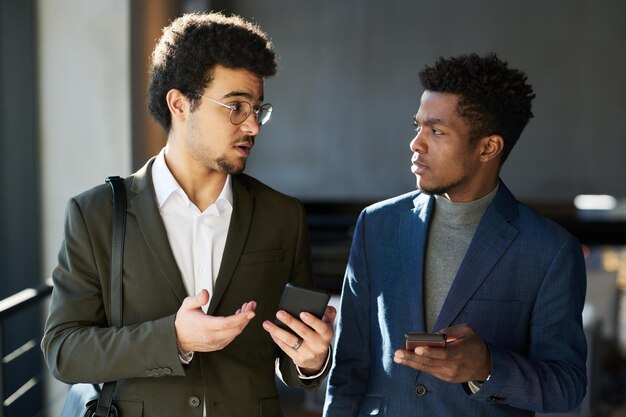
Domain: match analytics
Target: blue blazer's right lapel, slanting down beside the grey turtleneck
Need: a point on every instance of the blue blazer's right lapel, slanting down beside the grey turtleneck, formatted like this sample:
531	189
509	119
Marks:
493	236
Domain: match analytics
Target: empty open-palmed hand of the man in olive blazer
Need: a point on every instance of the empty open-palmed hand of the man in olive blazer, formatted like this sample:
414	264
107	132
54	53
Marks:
198	332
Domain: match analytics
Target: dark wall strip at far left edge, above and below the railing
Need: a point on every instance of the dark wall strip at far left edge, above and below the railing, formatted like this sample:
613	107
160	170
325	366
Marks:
20	206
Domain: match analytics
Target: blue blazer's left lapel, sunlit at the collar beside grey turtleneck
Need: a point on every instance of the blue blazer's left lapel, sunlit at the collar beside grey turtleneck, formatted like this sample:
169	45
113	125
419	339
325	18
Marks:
415	229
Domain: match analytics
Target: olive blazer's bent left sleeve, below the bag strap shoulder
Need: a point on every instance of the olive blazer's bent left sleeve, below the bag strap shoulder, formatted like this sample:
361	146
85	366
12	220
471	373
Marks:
78	345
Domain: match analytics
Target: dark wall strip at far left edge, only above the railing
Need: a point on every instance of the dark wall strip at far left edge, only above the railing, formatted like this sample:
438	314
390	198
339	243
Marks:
19	157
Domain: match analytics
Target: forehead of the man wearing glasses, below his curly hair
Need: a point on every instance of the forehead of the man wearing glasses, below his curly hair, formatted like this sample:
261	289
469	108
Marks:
236	82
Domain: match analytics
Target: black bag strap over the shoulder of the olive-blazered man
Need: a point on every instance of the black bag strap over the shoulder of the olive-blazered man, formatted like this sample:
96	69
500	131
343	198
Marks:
117	261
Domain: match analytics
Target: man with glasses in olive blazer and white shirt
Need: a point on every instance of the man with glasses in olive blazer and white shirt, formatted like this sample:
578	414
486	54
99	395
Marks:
208	249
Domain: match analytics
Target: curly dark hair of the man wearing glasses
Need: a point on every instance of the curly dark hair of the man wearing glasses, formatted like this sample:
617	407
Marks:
190	48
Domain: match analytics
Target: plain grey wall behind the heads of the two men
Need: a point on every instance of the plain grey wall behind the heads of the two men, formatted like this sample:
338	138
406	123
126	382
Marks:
348	87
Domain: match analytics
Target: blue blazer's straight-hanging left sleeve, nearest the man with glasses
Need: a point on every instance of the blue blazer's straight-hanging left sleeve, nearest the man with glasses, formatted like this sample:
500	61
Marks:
351	365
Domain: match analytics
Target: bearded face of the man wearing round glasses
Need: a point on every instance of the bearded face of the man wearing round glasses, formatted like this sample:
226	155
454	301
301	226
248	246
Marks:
210	137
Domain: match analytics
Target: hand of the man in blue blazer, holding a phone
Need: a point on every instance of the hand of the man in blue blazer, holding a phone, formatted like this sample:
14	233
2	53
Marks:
465	358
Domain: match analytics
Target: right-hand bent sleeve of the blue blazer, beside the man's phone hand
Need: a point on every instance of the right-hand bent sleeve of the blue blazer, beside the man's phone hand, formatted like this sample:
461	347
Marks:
551	377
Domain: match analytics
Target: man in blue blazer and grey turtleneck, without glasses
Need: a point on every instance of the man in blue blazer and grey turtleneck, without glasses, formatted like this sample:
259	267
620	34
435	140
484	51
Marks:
502	286
